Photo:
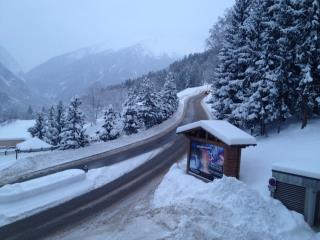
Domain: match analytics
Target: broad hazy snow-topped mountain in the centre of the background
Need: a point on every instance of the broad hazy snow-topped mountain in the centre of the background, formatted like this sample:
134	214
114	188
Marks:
66	75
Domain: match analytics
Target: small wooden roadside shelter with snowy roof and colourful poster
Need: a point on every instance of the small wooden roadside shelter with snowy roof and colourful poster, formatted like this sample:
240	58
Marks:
215	148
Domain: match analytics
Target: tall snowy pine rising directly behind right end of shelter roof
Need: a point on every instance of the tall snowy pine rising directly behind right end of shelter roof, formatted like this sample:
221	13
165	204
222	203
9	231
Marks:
259	108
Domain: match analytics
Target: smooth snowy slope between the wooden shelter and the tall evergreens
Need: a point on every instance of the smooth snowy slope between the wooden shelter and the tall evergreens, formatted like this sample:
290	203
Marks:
291	147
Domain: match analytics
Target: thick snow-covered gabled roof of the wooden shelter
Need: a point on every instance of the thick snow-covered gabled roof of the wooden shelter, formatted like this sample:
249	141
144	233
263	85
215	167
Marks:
223	130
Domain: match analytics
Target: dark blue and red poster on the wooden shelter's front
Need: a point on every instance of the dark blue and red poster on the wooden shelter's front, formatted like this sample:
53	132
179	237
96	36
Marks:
206	160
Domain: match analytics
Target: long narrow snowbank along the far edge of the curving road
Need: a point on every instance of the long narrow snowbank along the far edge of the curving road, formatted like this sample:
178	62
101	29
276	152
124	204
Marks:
27	163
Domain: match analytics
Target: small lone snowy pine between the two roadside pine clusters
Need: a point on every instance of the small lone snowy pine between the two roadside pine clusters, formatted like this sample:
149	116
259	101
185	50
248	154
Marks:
111	125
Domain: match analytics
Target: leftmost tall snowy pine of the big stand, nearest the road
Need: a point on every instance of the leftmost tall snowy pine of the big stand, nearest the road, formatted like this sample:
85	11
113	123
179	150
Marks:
230	74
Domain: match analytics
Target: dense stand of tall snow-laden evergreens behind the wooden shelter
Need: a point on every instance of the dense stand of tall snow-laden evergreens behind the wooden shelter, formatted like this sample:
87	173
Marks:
269	66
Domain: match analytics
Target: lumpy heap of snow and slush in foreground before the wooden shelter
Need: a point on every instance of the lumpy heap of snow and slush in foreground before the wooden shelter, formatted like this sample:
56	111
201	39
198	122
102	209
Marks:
184	207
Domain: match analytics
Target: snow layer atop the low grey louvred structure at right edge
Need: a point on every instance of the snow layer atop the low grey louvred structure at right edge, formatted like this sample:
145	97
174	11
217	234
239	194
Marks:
309	168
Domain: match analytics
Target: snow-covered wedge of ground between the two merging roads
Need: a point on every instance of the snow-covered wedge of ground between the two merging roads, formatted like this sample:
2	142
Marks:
23	199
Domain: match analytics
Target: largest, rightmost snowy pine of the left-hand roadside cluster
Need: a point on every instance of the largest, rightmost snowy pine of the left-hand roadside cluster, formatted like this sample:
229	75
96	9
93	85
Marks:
73	134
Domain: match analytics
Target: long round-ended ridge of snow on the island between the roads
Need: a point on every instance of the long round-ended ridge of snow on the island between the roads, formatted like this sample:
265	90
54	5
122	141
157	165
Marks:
20	191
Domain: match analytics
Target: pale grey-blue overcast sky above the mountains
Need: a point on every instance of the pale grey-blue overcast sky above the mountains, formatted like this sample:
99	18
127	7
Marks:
36	30
